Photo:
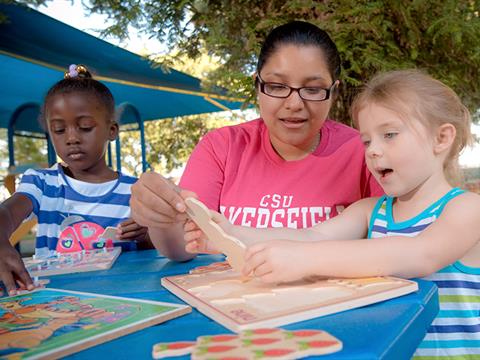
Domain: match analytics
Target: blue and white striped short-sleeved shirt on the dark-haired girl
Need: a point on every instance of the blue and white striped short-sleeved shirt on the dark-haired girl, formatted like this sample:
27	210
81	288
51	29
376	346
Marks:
56	197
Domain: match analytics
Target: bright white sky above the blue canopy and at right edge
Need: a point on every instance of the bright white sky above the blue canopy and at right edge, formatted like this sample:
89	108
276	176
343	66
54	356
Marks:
72	13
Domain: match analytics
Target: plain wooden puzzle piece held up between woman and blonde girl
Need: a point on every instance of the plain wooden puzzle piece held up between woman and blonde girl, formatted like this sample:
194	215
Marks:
232	247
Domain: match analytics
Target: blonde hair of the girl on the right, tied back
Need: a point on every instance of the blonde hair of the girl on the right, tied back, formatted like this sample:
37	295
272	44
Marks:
414	95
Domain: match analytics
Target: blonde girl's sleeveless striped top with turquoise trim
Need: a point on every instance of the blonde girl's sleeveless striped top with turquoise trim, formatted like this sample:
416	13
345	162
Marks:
455	332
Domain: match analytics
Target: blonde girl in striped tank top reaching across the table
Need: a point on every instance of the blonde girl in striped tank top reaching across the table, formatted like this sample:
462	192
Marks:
413	128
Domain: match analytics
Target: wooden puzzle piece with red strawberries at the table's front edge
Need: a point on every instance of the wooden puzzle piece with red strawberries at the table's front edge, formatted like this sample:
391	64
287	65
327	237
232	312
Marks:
263	343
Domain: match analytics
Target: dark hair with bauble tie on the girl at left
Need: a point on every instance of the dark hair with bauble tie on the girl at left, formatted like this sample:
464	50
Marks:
79	79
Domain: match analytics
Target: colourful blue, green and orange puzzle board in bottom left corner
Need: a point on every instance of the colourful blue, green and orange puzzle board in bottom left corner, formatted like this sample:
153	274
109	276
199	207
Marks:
52	323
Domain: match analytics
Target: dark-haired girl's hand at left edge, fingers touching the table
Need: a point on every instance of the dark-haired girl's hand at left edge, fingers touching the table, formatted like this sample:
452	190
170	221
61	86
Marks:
12	270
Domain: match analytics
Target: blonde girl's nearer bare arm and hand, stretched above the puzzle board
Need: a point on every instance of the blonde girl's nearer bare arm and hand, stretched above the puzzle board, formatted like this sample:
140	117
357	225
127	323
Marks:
445	241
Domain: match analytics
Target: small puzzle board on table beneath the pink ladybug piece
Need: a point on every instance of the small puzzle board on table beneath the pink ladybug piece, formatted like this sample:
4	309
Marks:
67	263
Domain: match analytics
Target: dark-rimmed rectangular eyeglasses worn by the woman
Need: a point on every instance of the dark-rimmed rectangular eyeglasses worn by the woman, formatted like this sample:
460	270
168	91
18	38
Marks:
282	91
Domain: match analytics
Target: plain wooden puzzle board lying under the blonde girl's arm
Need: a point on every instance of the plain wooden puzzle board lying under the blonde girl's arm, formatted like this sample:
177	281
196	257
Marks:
238	304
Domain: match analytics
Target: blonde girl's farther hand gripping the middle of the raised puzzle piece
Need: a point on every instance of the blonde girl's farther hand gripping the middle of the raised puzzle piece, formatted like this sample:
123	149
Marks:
196	240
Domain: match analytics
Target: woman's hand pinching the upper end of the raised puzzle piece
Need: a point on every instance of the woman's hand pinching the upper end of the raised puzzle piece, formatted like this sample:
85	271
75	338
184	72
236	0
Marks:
156	202
